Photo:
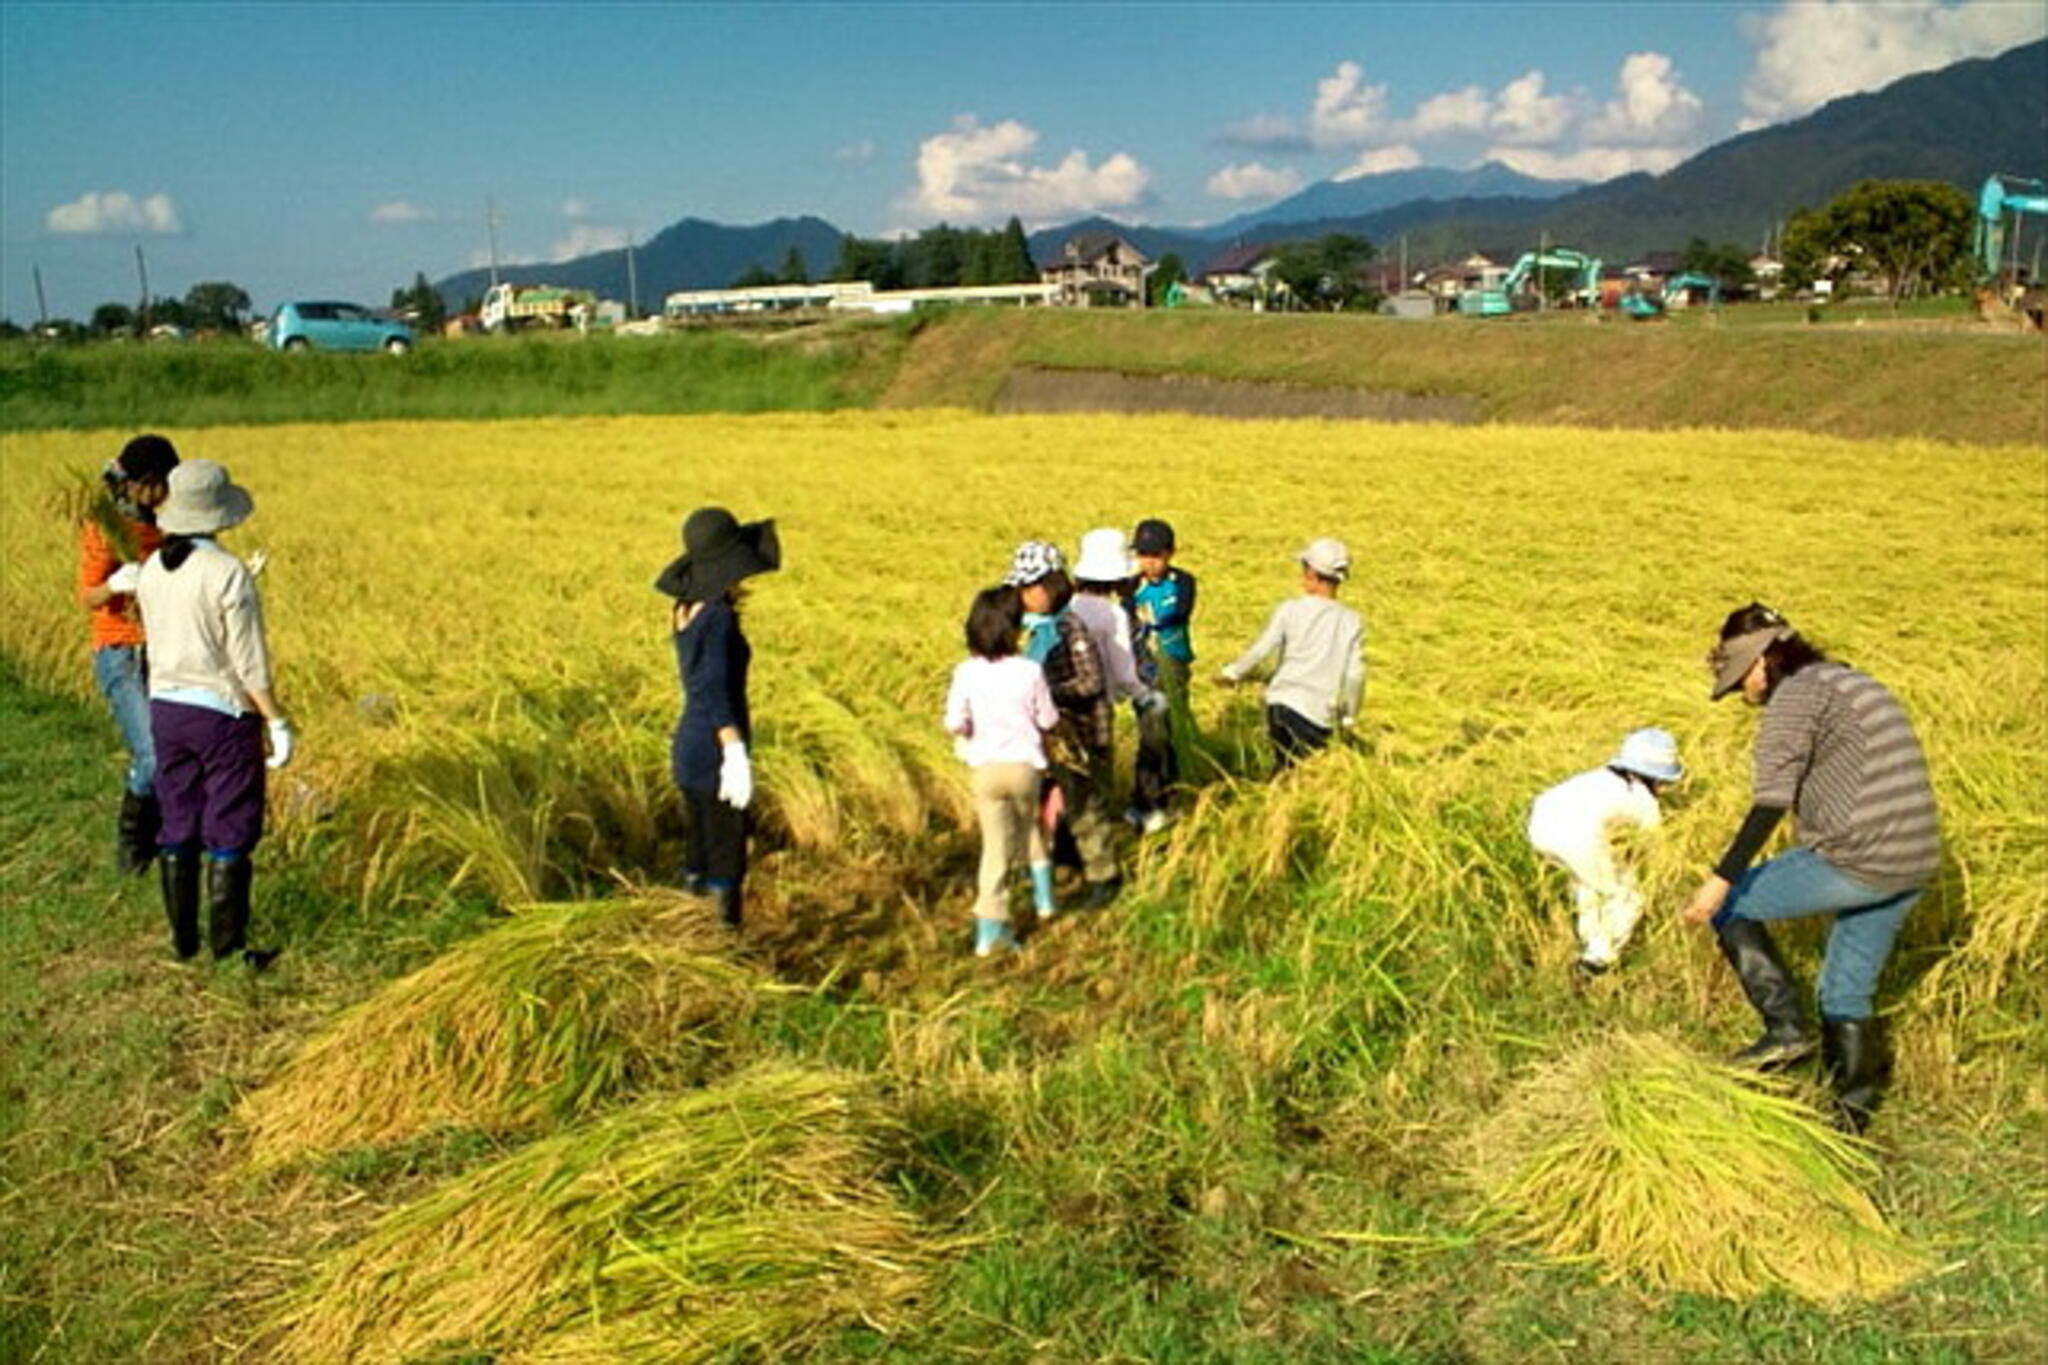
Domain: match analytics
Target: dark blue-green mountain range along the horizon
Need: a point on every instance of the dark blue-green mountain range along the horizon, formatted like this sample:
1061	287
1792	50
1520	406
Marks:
1959	124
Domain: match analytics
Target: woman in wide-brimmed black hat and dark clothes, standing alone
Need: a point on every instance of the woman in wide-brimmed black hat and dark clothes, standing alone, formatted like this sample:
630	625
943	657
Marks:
710	752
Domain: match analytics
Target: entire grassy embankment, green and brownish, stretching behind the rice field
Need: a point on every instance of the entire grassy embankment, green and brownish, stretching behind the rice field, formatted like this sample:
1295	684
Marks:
1838	380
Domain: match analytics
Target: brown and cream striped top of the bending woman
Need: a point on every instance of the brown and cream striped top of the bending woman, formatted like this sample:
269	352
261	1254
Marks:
1838	750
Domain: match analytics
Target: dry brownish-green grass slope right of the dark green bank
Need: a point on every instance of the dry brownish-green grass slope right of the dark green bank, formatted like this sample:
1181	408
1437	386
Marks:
1566	369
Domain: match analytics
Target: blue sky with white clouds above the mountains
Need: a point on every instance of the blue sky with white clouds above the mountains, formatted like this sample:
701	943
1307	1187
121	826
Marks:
306	150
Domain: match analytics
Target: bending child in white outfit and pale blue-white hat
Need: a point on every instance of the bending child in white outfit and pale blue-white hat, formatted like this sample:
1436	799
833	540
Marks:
1576	824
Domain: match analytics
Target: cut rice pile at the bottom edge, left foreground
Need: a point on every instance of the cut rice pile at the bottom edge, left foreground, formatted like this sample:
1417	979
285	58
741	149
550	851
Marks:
740	1219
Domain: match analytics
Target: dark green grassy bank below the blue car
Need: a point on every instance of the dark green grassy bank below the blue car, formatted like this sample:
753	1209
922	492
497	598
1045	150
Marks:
230	382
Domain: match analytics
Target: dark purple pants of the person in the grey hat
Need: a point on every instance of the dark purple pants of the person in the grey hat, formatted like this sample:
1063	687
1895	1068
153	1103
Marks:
210	777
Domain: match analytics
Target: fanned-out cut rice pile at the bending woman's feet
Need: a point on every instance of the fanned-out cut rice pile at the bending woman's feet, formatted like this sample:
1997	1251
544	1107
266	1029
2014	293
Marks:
1678	1174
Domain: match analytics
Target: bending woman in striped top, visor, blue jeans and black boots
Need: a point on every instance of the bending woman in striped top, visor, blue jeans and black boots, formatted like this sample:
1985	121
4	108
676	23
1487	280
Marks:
1838	752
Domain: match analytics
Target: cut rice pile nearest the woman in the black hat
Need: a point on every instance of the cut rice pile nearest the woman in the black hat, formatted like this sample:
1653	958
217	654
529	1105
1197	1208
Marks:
538	1020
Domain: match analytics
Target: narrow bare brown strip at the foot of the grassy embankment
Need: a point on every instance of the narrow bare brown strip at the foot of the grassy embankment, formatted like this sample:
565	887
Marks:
1068	392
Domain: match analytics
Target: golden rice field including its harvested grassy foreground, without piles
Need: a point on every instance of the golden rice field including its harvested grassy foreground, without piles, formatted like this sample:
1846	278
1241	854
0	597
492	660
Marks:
1228	1120
